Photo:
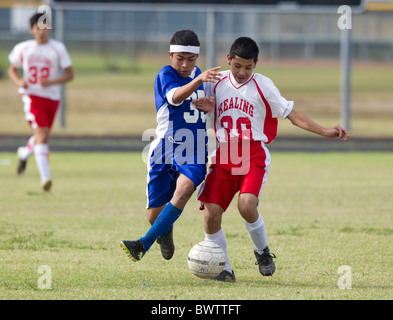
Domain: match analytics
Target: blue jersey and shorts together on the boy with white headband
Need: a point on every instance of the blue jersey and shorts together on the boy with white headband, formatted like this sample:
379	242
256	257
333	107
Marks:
181	142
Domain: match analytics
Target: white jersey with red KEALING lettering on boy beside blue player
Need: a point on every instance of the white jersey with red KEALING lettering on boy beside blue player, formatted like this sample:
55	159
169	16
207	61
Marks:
247	111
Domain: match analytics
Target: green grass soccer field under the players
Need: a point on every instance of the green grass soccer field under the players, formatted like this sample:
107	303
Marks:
322	211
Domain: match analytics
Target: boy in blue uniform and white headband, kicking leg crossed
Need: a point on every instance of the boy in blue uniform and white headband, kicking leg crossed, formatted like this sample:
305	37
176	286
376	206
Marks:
178	155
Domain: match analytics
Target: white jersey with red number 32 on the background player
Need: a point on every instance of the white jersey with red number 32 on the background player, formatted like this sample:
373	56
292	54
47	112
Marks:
41	61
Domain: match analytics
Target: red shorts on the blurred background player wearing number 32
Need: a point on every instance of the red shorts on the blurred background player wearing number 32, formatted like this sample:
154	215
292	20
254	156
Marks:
40	112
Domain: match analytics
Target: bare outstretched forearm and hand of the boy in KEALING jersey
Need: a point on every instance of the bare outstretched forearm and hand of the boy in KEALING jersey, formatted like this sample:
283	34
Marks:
302	121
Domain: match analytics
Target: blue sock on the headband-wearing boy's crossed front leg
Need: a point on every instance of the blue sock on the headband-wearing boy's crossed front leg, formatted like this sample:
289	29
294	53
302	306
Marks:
162	225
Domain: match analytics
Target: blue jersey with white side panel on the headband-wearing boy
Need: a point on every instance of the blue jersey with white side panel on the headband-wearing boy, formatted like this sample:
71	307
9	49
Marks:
181	128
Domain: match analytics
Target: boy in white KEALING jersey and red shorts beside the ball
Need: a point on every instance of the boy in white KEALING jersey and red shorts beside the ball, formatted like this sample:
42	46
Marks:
247	106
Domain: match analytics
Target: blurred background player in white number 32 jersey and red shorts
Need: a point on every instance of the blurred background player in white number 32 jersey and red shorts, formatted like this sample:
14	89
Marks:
42	61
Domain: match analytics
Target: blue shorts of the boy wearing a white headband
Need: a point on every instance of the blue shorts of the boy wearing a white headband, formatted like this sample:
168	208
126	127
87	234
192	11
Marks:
161	181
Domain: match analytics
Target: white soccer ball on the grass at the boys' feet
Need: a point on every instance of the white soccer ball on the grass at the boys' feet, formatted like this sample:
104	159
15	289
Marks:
206	260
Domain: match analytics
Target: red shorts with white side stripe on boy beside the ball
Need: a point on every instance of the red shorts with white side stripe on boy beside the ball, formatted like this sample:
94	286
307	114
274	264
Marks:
221	184
